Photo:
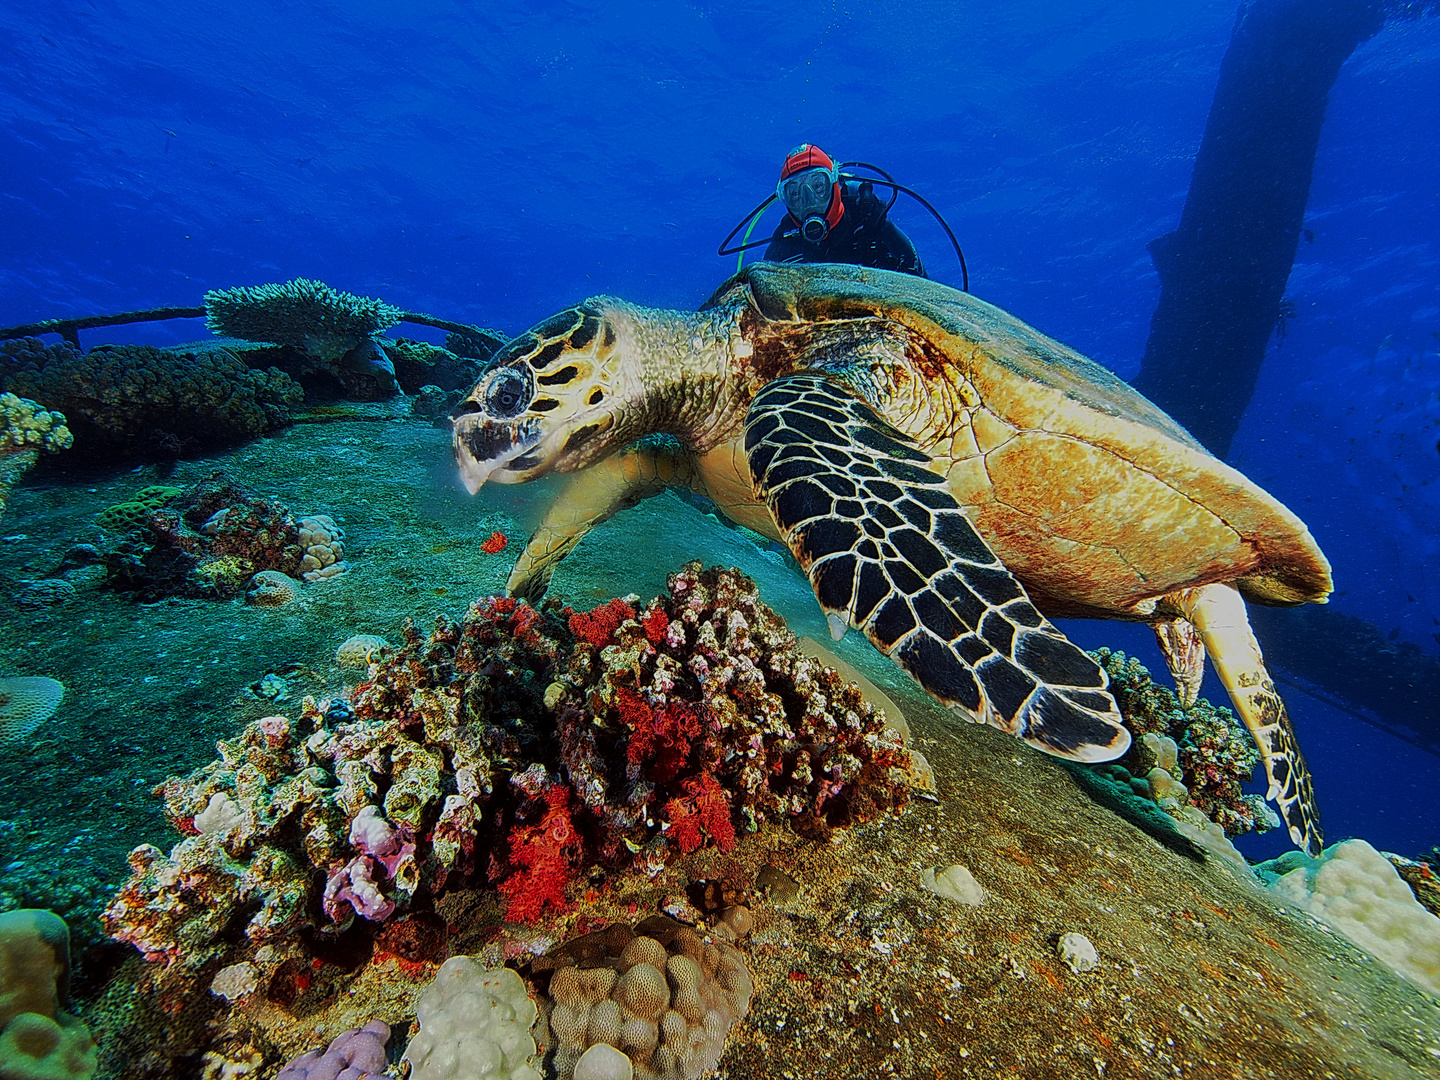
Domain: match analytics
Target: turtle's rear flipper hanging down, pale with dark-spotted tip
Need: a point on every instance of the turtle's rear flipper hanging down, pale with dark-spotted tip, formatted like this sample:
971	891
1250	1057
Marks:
1220	616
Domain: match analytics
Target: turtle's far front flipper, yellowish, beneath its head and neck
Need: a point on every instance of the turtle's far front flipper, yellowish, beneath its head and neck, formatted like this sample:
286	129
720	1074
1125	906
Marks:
594	496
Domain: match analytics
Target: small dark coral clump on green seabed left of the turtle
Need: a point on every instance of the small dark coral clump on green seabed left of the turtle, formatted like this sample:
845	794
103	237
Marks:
211	542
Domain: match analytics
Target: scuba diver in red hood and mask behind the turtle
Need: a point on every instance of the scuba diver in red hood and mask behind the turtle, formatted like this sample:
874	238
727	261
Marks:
836	217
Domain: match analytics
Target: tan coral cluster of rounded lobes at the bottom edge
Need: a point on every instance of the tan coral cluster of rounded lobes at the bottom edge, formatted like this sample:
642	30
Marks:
659	993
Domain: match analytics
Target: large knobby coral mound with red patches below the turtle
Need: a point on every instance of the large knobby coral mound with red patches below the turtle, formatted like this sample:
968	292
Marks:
519	748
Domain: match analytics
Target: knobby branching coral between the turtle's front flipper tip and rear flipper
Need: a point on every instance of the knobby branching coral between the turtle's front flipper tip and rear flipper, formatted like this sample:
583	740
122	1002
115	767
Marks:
1216	754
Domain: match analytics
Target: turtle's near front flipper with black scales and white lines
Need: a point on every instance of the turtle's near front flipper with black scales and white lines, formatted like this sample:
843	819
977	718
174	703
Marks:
889	551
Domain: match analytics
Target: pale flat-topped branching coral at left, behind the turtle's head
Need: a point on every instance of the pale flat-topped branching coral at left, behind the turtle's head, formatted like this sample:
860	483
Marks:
305	315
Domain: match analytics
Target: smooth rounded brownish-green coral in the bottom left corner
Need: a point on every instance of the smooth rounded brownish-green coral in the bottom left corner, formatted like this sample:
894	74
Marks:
37	1038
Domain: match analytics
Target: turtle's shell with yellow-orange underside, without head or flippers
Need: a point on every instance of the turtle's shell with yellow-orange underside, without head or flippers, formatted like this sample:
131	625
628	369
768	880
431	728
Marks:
1086	490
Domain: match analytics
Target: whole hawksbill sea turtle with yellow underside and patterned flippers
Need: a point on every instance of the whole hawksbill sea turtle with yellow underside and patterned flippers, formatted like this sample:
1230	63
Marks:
945	474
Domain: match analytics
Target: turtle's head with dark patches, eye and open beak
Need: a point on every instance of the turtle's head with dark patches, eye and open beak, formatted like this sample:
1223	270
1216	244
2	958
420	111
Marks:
542	405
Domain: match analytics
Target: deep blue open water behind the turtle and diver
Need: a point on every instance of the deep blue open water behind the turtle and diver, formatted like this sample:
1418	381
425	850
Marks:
496	165
